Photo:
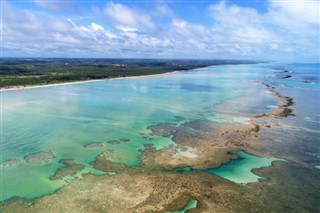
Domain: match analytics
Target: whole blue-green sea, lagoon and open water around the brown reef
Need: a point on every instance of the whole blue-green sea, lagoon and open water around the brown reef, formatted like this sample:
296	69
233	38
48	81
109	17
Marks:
62	121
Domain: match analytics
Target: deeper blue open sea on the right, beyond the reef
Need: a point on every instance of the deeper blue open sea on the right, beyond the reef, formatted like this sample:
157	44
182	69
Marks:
301	136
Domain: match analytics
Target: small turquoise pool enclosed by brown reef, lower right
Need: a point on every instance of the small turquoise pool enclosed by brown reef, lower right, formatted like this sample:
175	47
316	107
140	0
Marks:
239	170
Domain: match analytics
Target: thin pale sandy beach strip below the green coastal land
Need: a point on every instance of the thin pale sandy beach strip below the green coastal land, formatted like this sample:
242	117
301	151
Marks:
17	88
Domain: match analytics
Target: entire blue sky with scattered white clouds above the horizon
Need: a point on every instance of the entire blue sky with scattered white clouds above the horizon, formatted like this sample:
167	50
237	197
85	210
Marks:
273	30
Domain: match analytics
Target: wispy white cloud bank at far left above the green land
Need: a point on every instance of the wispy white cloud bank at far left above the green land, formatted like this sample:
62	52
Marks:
41	34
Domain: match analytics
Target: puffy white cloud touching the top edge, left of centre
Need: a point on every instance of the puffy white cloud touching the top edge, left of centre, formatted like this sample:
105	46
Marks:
123	16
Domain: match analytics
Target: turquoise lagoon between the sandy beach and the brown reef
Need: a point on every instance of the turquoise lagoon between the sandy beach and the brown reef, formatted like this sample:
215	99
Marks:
62	119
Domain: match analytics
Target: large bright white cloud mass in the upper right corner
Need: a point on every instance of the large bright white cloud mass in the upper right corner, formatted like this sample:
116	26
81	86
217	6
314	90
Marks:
287	27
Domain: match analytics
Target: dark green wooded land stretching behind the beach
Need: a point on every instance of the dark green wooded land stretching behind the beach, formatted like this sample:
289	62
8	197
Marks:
28	72
